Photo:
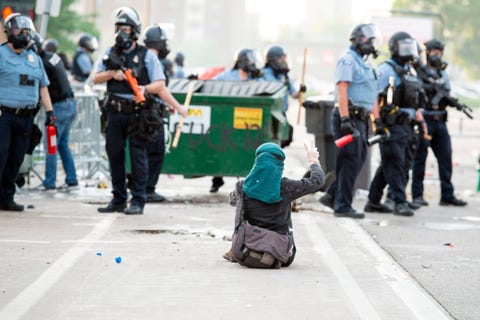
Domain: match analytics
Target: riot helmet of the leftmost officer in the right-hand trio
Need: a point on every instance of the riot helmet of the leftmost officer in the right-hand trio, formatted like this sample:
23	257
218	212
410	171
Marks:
363	39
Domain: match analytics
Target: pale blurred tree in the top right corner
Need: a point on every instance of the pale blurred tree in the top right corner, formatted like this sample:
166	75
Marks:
461	33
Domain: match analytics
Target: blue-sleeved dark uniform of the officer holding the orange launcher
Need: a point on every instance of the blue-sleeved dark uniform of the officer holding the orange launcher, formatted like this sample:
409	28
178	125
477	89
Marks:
122	122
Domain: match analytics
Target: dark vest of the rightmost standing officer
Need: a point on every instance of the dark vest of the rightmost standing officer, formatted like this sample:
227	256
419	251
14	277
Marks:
435	86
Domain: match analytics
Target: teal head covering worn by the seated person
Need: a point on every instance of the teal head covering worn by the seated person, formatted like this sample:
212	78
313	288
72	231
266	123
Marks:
263	181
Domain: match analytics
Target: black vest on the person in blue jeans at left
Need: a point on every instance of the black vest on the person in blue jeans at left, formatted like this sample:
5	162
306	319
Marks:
59	87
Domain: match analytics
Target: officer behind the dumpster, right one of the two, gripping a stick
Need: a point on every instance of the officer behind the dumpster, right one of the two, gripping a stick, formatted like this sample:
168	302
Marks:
276	69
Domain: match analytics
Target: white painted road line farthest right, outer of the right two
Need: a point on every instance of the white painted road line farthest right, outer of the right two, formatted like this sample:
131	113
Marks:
422	305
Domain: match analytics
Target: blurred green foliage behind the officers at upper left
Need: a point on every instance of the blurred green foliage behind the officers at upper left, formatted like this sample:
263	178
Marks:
68	26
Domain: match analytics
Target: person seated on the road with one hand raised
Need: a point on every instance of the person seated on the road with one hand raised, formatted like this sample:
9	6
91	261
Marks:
263	236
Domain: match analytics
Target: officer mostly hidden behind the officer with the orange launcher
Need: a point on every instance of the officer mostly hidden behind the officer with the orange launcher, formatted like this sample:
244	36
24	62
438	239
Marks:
156	40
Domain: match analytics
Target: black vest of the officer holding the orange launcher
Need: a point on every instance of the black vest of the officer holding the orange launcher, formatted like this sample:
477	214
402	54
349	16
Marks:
134	60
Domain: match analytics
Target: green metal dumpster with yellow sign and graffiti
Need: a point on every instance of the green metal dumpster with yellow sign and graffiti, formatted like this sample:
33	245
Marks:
227	121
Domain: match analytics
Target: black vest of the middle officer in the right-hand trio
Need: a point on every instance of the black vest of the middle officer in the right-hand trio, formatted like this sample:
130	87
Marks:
409	94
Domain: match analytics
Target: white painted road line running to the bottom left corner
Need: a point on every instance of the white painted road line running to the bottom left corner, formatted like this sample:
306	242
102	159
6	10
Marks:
25	300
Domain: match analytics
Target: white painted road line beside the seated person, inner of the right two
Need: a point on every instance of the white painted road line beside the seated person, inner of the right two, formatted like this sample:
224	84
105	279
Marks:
362	307
